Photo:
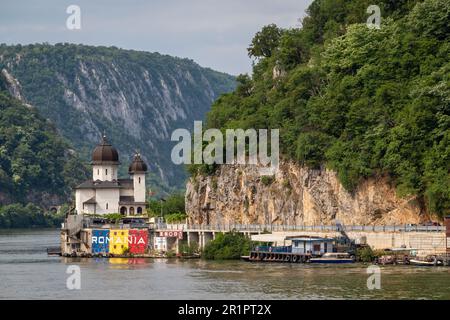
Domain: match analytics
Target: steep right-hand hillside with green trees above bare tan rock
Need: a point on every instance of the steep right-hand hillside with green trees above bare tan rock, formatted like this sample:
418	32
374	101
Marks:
364	115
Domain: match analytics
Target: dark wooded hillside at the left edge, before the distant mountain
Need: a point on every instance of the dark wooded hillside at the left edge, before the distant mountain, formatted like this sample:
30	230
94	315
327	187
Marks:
36	164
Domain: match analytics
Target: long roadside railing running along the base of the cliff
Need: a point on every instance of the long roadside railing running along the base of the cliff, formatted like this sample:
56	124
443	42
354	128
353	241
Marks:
317	228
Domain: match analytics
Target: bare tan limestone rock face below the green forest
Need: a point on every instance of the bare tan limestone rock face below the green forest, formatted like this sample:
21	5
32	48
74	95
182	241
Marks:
295	195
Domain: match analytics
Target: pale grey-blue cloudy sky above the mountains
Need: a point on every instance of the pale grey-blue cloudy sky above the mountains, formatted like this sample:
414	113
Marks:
214	33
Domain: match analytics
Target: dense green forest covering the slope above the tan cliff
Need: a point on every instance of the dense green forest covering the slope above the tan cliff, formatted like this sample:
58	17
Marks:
362	101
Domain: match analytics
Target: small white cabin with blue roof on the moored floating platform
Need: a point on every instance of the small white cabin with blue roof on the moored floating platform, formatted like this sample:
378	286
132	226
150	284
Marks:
311	245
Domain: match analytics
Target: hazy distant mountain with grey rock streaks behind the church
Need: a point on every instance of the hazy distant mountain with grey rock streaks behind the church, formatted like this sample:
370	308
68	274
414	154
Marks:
136	98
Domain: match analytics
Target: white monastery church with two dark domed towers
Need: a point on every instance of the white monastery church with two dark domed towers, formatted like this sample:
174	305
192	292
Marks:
105	193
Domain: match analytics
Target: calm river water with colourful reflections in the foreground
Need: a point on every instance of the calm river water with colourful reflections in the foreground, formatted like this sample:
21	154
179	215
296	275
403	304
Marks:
26	272
